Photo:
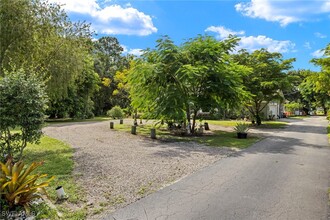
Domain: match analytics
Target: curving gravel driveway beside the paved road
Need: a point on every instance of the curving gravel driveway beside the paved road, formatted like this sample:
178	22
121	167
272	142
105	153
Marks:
116	168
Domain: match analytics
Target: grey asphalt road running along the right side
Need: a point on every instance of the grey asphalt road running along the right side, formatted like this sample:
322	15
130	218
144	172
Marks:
285	176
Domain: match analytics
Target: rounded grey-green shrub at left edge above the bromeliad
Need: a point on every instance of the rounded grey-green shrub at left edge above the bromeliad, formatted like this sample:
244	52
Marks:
23	102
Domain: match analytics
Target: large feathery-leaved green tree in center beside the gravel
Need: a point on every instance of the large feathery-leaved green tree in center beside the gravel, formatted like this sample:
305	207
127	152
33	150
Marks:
172	82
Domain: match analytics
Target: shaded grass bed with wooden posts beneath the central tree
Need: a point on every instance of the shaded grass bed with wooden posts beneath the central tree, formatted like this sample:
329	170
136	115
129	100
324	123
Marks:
215	139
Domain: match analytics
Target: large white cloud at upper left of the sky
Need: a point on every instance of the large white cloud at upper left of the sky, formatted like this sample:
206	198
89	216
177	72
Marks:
112	19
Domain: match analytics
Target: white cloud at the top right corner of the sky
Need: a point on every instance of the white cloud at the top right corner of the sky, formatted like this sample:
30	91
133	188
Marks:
284	12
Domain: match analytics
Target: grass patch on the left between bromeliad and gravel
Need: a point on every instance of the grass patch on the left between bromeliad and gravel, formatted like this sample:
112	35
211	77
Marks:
57	157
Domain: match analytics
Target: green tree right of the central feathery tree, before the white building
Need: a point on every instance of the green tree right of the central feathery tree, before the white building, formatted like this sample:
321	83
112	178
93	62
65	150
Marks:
266	80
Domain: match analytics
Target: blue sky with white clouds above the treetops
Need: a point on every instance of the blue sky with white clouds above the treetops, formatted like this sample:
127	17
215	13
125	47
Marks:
296	28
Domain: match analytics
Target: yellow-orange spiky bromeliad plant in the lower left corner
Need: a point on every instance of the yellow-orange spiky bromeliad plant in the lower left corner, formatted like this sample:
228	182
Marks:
18	186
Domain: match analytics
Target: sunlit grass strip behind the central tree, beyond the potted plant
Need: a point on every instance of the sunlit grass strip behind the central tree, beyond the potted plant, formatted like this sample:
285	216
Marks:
265	124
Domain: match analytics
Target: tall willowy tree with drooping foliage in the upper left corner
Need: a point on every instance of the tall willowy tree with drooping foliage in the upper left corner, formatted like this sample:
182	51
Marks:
38	35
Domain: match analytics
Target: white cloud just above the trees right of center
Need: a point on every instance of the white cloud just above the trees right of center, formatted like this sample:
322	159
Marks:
252	43
